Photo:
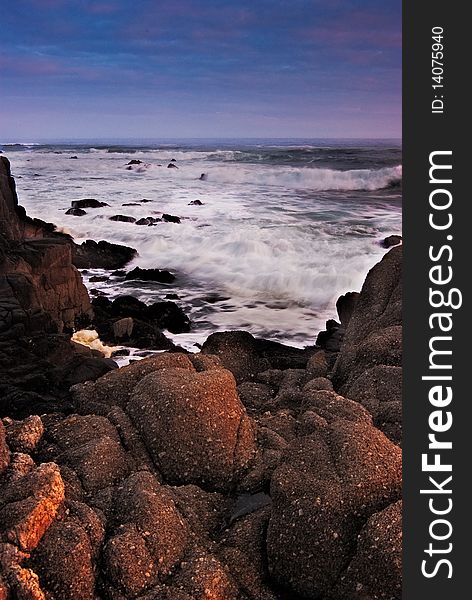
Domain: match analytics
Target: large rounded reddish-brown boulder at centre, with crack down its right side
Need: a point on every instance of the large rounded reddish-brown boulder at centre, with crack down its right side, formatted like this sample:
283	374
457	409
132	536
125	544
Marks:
194	426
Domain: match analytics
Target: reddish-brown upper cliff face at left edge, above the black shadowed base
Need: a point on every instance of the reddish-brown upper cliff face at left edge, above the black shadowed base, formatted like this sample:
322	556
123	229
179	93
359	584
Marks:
40	288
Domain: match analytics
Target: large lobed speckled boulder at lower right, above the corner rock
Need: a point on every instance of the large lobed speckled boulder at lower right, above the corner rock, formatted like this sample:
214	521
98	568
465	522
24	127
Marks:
339	477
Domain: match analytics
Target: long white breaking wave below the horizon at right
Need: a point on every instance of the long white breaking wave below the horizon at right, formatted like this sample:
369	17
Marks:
310	178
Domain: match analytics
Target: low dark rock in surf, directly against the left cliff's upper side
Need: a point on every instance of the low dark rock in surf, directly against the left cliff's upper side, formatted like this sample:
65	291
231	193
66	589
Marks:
102	255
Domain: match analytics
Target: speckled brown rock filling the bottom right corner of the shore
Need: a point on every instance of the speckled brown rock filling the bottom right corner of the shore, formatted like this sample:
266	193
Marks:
381	578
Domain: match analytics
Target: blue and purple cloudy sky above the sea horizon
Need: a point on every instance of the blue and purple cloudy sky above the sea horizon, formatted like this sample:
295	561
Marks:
150	69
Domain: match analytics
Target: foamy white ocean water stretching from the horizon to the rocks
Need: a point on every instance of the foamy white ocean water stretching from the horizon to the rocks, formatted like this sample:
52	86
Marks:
284	228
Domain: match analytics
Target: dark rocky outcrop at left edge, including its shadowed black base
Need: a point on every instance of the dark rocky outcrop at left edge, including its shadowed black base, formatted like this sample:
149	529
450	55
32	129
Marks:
42	297
